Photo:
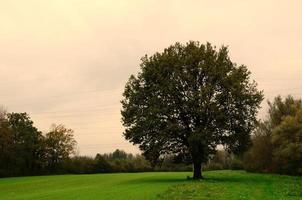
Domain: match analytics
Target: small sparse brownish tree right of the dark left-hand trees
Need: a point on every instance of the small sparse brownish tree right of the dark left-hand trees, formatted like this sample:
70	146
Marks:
60	144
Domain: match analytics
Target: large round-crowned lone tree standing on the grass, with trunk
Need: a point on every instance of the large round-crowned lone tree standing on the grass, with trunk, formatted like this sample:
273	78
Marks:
189	99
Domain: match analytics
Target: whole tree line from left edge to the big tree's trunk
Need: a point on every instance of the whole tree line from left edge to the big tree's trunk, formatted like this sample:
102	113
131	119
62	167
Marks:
26	151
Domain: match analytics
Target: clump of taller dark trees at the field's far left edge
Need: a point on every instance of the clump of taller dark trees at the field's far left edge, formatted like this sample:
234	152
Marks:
24	150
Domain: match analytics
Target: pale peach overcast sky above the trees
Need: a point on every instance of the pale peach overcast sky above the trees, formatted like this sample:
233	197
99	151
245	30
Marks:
67	62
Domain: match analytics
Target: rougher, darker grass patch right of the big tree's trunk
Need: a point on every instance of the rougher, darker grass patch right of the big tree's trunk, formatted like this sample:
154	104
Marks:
238	185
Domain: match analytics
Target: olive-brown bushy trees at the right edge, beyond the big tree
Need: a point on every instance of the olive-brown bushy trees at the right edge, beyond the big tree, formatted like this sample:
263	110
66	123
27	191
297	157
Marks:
275	143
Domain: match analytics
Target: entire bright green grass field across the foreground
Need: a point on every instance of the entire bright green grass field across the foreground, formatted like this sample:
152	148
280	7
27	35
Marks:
217	185
